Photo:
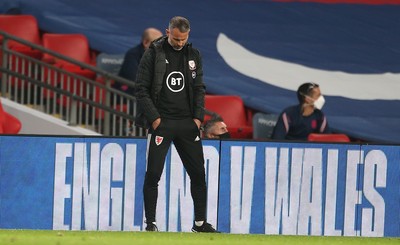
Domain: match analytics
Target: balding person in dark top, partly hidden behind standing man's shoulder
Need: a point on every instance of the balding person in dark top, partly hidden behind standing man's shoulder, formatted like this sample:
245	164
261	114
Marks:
132	58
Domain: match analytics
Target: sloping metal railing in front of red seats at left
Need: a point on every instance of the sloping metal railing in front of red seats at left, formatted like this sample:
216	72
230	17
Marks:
89	102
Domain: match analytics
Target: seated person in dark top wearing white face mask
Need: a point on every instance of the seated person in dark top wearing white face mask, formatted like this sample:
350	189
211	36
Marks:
298	121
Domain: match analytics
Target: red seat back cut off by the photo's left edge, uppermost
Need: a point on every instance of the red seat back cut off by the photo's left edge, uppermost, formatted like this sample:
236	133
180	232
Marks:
22	26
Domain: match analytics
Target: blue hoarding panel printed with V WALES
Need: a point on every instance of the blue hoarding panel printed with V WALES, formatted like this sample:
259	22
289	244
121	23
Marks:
309	189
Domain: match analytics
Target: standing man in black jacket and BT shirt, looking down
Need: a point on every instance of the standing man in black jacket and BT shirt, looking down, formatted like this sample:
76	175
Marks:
170	94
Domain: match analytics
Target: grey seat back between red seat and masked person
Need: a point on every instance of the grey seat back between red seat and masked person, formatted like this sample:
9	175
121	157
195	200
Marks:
263	125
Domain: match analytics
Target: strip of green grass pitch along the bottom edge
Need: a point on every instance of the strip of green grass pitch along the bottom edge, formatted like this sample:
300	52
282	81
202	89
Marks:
24	237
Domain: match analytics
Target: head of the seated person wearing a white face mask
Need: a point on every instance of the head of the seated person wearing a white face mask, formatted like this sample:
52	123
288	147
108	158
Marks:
310	94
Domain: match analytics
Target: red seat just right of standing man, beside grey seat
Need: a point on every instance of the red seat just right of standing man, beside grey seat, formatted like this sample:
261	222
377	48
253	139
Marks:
233	111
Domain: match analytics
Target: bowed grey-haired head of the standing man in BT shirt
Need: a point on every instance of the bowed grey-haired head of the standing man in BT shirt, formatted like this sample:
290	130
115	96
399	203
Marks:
178	32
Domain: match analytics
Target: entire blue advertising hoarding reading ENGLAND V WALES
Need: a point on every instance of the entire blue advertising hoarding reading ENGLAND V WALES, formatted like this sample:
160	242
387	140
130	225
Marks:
95	183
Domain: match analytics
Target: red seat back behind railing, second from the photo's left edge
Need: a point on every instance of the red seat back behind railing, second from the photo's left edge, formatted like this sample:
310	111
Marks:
75	46
